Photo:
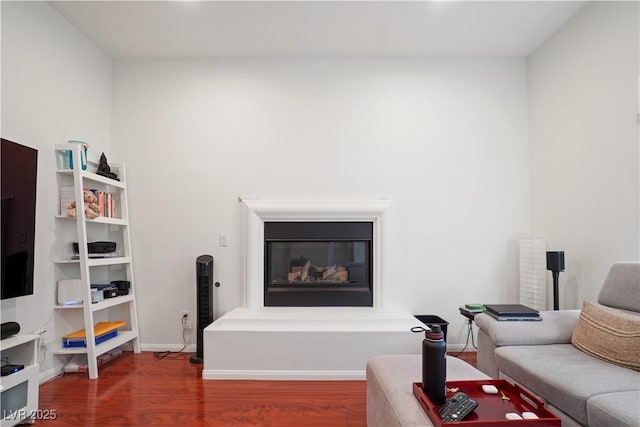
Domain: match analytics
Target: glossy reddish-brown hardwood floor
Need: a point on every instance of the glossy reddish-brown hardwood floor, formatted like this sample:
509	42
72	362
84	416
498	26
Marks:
140	390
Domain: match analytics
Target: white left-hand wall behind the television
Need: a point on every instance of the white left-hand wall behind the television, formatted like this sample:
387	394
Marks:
56	86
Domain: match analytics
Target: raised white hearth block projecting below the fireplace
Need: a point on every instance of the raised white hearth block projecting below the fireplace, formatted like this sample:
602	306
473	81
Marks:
317	343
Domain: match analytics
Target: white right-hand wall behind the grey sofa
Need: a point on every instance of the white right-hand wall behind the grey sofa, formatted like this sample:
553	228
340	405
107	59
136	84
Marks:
583	102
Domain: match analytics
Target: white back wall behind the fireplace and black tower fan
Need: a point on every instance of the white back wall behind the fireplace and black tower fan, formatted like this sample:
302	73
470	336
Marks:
446	139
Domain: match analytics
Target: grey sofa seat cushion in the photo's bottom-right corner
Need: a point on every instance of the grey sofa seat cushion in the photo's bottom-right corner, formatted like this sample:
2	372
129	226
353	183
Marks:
614	410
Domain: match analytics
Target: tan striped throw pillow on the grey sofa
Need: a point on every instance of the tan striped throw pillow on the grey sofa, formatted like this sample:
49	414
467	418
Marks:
609	334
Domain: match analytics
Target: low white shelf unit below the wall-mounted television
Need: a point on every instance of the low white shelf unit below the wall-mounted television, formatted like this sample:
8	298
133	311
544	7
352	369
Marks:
19	391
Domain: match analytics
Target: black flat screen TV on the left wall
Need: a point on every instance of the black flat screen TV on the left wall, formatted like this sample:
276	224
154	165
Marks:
18	213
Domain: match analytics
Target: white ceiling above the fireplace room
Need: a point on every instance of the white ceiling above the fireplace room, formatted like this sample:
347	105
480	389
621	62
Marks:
199	29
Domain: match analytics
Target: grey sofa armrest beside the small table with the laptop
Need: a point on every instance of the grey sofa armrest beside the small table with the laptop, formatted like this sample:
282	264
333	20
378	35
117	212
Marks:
556	327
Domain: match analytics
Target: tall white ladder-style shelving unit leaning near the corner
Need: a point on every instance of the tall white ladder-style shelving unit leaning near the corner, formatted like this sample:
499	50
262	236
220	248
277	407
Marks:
70	318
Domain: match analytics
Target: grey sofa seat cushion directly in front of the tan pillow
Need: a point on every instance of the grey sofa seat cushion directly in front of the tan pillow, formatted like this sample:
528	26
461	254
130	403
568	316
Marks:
564	376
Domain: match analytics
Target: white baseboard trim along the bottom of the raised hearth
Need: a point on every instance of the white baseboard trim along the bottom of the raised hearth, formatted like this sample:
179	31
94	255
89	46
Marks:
210	374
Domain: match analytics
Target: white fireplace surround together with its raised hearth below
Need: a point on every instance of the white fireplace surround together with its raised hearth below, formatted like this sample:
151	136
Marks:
258	342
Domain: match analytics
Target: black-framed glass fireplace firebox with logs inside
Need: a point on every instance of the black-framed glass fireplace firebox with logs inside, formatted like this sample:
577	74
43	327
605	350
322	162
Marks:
315	264
